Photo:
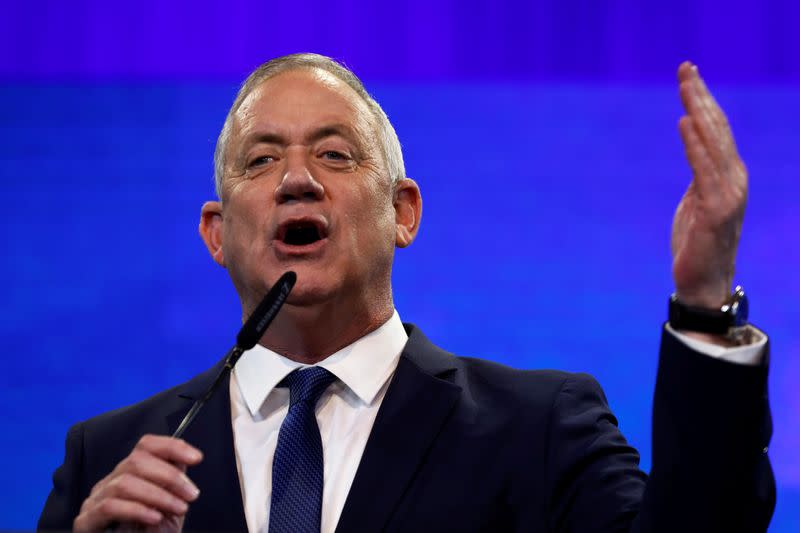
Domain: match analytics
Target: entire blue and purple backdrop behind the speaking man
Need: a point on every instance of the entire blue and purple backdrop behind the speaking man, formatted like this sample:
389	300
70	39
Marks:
543	135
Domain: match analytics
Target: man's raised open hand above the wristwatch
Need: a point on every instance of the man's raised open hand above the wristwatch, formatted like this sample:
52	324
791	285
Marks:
708	221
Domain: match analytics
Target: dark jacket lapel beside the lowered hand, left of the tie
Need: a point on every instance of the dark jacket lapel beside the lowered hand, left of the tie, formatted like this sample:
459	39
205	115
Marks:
219	506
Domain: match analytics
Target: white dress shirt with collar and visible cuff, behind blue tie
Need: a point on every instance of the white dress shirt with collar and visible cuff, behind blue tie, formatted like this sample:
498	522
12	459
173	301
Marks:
345	412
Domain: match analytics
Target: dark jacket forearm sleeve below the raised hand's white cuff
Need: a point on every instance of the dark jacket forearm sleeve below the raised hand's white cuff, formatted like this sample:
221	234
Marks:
711	431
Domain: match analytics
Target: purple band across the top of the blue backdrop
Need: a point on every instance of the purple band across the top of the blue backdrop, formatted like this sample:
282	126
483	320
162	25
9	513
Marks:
741	41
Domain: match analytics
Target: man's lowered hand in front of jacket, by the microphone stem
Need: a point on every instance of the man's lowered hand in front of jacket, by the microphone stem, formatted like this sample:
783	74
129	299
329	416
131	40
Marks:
147	488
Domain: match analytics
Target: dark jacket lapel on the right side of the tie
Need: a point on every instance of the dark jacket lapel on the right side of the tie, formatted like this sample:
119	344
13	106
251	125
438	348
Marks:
413	411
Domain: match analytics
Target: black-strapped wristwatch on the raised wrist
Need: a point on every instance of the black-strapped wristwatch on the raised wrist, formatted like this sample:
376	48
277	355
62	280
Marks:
728	320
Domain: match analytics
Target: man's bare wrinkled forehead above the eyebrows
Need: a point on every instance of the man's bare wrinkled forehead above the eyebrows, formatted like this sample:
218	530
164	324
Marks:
298	100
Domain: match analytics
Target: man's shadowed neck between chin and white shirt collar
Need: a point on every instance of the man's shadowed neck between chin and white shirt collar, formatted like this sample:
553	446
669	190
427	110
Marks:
310	333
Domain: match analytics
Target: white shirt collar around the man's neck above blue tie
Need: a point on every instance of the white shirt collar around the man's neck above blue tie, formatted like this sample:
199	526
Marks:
364	366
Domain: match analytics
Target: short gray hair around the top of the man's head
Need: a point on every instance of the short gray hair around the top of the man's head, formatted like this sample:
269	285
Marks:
390	144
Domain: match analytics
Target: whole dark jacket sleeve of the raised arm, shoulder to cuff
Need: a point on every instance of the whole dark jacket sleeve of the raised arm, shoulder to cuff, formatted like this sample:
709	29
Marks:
710	472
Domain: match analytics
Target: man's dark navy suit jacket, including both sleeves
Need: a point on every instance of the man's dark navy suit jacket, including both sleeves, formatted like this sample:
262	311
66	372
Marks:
464	444
